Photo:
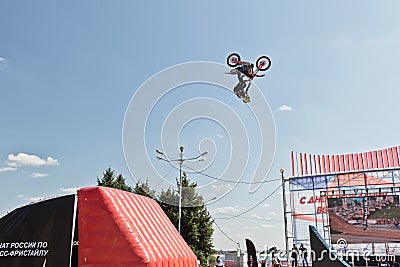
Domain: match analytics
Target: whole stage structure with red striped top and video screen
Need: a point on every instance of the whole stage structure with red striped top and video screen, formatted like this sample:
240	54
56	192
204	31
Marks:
352	200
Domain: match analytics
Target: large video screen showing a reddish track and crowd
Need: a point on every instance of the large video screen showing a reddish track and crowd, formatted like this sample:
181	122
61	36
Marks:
367	219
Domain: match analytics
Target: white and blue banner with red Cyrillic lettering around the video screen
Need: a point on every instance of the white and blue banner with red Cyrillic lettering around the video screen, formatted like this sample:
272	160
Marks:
361	207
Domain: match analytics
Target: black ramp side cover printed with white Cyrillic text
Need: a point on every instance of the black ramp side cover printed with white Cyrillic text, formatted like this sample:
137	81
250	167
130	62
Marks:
39	234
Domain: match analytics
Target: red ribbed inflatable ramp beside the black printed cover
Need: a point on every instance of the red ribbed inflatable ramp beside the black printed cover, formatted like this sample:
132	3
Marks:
118	228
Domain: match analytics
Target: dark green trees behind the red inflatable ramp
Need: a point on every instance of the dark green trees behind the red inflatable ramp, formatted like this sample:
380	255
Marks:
196	221
